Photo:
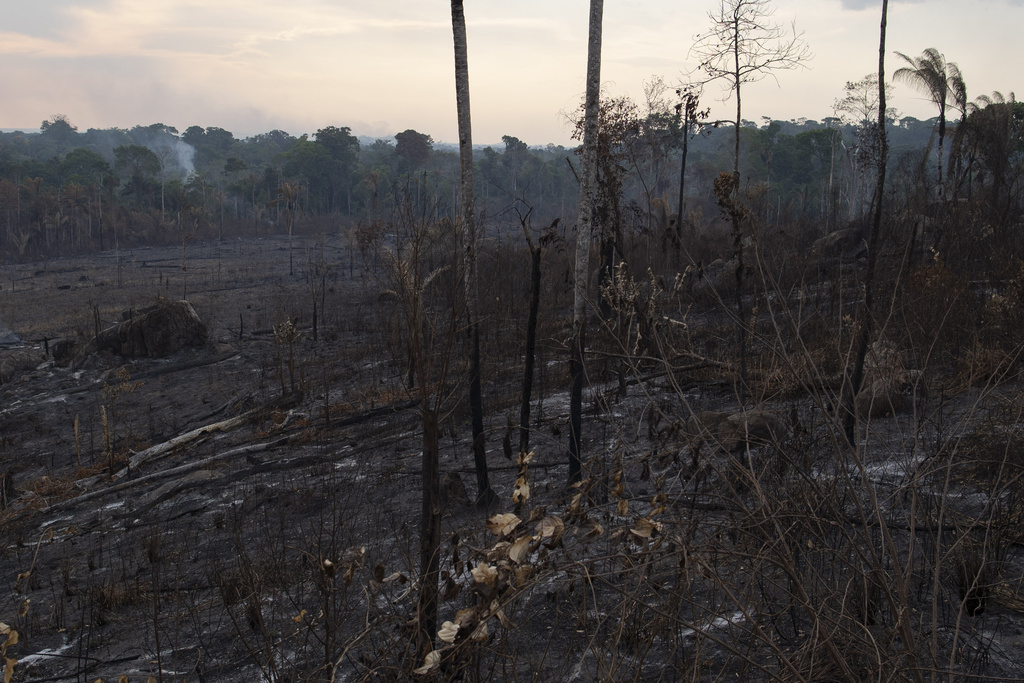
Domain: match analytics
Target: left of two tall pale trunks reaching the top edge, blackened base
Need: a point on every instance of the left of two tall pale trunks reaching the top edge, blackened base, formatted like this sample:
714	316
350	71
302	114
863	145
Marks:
486	495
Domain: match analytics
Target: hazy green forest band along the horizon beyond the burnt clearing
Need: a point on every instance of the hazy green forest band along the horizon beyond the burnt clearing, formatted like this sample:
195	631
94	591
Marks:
63	191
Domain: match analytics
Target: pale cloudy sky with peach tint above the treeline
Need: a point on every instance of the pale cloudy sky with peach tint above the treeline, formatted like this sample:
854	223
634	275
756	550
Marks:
254	66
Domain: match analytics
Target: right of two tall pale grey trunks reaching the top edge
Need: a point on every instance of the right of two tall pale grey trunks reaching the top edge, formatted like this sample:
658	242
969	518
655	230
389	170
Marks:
584	219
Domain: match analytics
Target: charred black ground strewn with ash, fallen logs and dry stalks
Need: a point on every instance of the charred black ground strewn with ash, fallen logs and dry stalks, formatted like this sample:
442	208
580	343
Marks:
276	538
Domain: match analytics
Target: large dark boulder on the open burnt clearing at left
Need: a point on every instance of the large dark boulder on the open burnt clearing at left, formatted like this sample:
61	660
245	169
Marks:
162	331
